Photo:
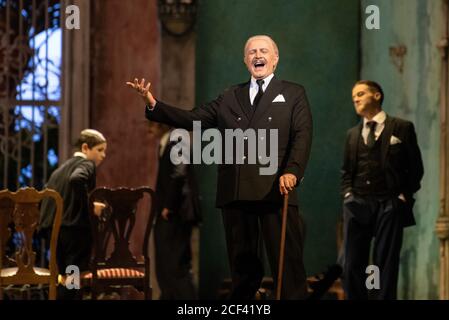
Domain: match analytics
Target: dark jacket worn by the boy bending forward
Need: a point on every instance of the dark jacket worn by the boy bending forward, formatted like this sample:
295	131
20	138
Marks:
74	179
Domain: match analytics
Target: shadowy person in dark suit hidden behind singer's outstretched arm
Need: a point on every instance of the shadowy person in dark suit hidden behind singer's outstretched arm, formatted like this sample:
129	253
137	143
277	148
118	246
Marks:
178	211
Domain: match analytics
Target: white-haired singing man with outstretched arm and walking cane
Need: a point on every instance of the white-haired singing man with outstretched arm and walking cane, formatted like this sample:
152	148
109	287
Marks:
251	202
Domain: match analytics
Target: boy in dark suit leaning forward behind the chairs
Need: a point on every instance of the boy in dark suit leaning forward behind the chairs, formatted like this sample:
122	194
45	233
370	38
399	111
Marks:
73	180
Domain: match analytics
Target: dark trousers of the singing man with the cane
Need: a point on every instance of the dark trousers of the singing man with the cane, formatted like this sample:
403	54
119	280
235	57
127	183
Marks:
242	223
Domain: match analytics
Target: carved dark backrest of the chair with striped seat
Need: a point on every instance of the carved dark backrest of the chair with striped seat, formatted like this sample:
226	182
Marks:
116	225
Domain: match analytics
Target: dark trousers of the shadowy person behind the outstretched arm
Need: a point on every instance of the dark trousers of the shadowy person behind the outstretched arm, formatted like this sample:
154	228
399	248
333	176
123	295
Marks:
174	258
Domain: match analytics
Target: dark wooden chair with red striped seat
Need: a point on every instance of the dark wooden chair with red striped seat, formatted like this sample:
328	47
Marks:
113	264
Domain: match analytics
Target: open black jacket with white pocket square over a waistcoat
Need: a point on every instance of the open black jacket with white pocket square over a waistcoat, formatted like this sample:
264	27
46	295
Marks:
402	161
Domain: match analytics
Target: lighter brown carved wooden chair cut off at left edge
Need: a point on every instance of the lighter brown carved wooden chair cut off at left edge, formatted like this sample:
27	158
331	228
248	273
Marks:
21	210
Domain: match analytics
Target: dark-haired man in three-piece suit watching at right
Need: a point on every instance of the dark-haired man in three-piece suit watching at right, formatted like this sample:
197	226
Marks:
382	170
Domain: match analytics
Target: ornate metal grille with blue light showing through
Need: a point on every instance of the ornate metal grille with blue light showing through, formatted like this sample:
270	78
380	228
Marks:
30	91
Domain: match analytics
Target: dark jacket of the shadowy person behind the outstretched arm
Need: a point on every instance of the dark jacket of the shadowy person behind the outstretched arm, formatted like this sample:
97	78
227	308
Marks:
177	188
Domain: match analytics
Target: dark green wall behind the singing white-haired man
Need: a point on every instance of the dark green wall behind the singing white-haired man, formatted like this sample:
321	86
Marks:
319	48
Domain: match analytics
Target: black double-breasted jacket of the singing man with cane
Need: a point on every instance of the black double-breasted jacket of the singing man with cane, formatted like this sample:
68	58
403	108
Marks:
232	110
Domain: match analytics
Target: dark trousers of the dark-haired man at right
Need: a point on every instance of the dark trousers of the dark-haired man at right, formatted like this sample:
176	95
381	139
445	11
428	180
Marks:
365	218
